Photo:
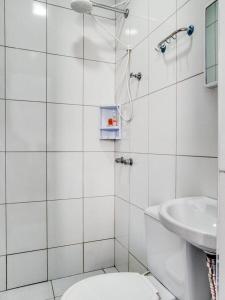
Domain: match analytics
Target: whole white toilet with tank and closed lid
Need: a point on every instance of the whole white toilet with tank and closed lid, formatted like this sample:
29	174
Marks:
167	261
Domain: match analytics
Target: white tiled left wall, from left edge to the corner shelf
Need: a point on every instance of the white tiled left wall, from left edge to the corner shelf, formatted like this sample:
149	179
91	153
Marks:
56	177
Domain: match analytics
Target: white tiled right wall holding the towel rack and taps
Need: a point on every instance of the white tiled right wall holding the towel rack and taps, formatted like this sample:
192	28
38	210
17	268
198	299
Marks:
173	137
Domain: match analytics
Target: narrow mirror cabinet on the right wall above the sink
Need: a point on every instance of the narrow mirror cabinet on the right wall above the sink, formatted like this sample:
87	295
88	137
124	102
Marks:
211	44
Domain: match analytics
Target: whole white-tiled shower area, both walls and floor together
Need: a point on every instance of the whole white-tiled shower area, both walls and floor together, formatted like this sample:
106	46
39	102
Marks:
71	204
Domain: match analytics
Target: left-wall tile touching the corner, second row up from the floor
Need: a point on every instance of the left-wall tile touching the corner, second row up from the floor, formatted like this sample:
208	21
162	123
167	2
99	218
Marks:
98	218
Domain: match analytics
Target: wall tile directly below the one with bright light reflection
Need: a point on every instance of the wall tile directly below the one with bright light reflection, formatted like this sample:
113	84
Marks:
25	75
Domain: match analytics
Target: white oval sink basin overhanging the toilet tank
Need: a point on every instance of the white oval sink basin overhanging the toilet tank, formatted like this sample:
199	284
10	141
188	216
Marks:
194	219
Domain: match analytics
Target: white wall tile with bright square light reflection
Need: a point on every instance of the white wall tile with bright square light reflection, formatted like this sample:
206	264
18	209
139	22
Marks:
26	19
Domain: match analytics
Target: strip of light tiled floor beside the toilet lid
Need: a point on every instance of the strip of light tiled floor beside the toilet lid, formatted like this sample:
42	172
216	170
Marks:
52	290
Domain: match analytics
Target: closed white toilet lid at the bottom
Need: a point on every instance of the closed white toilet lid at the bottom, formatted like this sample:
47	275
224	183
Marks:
119	286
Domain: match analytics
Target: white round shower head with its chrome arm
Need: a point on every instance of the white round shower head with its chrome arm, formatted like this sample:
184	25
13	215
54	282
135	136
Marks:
86	7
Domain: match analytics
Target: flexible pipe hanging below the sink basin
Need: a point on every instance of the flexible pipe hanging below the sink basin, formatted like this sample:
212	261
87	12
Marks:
211	265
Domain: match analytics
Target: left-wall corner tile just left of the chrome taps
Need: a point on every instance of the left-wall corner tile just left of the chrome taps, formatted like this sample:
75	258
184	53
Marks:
98	174
